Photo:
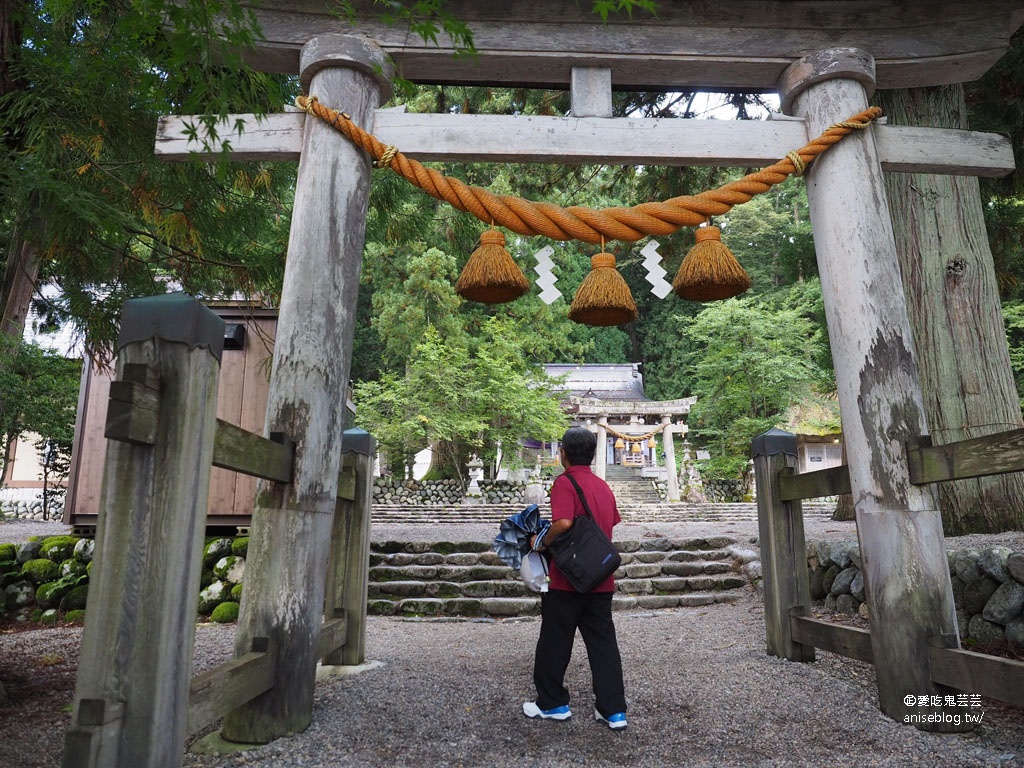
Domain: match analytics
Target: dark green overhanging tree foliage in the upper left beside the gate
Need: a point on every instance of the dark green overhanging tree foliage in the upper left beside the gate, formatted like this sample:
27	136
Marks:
81	191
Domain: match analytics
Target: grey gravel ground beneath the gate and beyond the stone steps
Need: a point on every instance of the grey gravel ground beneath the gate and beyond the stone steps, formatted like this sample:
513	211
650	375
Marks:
702	693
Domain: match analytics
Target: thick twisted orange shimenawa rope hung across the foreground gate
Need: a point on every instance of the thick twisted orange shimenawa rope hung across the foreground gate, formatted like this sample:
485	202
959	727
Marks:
580	223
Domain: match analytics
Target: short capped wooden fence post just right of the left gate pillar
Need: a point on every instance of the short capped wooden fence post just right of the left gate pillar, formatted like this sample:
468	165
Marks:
349	574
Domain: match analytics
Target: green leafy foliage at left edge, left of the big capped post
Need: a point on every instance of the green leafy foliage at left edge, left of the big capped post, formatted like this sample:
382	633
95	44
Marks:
38	395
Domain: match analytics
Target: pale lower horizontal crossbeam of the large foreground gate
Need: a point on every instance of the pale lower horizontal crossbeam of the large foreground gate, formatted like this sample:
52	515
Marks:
533	139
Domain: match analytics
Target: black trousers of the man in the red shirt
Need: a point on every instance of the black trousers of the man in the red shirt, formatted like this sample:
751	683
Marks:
563	613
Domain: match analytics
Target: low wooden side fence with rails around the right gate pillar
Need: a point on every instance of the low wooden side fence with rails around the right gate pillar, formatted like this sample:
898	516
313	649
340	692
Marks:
791	632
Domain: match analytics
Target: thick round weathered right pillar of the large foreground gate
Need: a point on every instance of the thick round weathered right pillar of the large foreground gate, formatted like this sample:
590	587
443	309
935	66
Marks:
907	577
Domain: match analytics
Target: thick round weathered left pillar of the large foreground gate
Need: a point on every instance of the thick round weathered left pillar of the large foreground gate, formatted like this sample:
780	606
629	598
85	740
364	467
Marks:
291	527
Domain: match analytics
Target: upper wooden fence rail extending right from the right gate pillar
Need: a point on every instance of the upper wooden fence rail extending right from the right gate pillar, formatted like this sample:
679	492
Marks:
978	457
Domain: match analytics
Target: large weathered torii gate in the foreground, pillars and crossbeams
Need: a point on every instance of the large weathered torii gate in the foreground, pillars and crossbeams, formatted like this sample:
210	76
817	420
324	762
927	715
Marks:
825	59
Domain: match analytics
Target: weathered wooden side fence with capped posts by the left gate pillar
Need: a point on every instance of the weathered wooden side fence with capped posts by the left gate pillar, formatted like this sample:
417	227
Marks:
135	703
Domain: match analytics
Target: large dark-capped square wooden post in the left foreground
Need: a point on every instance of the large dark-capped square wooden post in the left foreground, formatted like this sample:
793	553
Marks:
132	701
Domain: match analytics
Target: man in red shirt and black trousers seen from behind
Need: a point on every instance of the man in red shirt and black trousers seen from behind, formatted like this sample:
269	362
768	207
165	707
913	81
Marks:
564	610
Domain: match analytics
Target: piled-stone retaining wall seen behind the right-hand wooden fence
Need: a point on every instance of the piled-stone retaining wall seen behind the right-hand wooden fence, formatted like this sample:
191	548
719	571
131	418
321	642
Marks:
989	588
